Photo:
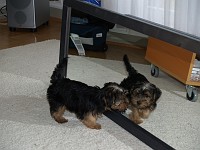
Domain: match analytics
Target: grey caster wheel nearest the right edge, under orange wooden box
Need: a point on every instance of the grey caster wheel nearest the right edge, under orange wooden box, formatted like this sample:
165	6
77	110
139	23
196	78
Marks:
192	94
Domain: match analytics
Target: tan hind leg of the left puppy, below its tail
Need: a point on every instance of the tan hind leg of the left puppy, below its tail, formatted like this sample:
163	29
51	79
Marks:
58	114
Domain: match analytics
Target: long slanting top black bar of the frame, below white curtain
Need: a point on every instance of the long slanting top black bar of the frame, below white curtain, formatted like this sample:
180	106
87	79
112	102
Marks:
169	35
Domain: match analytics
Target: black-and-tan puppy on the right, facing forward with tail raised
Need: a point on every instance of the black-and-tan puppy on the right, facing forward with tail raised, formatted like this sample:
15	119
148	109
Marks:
143	95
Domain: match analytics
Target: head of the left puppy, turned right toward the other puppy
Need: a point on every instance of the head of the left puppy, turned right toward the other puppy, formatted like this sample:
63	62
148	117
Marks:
115	97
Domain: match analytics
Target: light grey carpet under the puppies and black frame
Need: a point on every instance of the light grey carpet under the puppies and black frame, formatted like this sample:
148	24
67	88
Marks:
25	122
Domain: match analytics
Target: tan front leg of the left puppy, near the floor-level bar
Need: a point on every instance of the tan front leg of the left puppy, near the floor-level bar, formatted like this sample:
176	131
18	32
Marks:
90	121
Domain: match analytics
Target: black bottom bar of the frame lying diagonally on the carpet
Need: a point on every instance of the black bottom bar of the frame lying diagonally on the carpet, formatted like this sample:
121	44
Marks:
137	131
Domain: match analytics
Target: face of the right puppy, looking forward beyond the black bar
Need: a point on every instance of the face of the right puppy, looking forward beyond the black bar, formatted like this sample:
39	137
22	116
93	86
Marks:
144	96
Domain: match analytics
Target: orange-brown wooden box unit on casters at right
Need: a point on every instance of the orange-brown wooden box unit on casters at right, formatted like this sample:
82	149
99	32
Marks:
175	61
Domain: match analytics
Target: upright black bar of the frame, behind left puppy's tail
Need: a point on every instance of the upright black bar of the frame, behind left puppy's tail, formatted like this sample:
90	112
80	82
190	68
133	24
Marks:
64	39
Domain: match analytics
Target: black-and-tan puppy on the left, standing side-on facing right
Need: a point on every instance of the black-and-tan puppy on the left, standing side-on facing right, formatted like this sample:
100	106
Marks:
87	102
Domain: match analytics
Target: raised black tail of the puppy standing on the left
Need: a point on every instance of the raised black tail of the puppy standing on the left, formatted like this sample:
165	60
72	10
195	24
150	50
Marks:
58	71
